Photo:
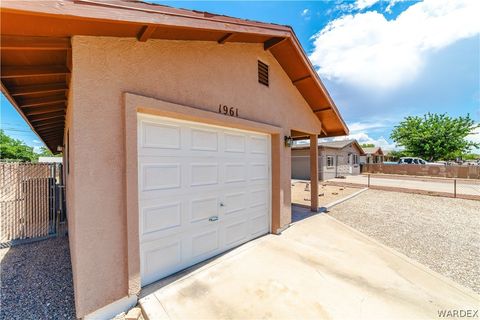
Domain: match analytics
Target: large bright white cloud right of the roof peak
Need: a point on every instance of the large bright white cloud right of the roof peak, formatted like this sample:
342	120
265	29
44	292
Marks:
367	50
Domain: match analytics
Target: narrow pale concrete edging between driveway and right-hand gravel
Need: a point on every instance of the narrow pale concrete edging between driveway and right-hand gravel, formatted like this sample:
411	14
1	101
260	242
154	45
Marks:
464	290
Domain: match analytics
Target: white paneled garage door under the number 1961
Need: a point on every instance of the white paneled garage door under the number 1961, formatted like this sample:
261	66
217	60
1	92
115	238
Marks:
202	190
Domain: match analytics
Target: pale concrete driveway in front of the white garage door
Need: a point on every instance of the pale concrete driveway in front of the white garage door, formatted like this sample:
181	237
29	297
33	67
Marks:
318	268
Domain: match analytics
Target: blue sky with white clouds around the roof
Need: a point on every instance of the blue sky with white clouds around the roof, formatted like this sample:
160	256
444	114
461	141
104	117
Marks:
380	60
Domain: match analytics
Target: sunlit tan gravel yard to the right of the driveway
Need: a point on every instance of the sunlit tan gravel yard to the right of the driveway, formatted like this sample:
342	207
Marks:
442	233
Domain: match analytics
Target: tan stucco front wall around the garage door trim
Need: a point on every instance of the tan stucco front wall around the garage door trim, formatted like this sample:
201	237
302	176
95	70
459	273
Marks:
196	74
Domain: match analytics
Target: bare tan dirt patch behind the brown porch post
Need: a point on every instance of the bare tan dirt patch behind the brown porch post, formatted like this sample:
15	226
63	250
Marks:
327	193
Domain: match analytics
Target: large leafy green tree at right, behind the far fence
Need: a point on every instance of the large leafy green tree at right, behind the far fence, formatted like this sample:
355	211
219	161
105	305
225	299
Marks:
435	136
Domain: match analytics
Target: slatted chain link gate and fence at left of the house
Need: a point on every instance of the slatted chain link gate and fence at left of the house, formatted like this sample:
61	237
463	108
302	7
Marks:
32	204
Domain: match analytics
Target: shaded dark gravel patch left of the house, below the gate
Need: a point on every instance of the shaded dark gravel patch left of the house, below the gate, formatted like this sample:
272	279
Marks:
36	281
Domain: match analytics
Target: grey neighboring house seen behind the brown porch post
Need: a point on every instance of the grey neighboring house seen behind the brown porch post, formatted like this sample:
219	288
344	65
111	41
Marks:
335	159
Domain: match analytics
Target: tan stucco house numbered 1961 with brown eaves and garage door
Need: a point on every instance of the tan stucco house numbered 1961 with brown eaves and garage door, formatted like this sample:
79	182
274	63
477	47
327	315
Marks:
189	118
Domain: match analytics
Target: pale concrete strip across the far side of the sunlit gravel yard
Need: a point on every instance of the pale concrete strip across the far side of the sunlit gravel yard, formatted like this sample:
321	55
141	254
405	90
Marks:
424	183
